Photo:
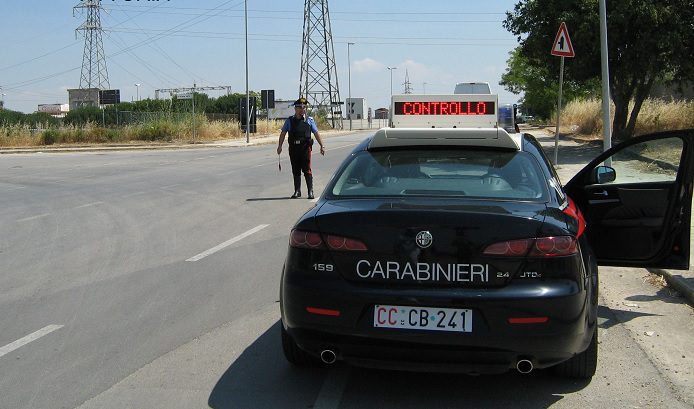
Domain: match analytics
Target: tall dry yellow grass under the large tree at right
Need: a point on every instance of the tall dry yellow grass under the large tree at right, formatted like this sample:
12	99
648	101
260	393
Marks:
585	117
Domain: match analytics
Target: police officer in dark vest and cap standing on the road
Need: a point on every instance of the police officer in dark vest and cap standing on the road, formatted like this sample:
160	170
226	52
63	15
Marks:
300	126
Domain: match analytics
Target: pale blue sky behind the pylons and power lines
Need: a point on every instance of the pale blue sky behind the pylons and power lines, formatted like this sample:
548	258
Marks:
167	44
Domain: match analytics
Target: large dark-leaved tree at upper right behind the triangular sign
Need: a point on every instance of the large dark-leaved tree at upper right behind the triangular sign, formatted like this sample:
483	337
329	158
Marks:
648	42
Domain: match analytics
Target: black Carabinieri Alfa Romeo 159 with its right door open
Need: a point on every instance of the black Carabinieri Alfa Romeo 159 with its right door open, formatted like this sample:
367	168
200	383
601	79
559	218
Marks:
459	250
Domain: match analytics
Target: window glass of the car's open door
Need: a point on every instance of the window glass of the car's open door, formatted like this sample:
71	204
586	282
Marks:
650	161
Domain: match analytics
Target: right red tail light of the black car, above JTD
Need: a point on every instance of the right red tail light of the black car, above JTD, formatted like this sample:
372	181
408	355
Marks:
538	247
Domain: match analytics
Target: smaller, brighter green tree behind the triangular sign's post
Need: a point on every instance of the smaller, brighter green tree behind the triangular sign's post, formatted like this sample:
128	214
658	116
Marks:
540	87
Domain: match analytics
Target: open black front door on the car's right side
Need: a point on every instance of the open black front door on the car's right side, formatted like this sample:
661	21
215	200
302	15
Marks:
636	198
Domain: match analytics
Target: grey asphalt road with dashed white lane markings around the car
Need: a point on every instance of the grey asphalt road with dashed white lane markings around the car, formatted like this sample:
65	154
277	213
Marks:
150	279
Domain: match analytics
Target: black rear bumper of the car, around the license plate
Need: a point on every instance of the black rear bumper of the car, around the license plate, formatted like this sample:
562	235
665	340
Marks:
493	346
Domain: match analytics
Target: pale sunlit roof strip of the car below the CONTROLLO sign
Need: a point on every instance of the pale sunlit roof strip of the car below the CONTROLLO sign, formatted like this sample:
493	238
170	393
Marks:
463	137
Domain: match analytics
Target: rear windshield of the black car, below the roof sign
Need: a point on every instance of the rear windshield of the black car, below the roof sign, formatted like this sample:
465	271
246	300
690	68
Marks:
487	174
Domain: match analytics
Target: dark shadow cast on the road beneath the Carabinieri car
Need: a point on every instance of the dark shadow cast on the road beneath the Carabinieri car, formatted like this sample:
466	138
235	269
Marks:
261	378
